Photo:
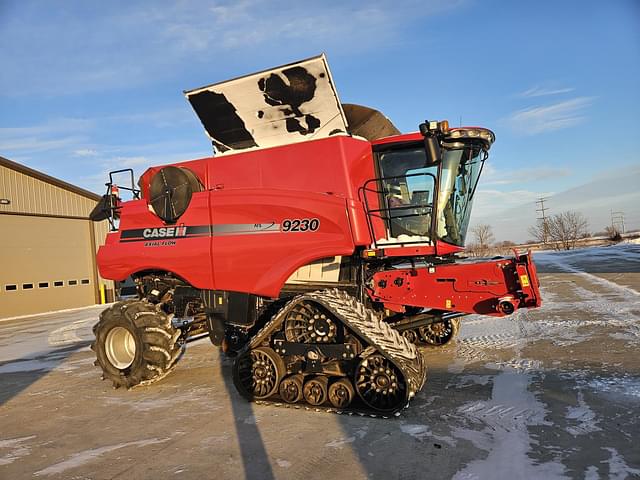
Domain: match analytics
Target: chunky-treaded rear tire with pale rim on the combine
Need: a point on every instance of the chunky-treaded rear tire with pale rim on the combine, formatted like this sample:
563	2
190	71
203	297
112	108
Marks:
135	344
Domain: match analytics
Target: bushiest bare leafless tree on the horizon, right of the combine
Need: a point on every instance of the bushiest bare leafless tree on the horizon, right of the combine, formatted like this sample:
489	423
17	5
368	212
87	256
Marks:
562	230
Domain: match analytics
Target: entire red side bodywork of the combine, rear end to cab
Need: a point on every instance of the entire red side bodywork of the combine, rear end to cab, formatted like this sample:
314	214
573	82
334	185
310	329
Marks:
311	180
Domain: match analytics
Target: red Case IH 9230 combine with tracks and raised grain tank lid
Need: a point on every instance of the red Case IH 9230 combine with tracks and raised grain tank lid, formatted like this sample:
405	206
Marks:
317	246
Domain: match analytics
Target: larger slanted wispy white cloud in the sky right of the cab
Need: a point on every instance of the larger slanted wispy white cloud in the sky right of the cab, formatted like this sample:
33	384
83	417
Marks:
565	114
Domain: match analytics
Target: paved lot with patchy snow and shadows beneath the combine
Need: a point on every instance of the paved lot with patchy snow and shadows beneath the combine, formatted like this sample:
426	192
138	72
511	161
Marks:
551	393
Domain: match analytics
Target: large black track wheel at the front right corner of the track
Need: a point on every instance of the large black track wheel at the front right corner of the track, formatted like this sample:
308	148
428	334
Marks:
379	383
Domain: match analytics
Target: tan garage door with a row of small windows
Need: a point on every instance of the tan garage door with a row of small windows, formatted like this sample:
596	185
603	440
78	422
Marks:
45	264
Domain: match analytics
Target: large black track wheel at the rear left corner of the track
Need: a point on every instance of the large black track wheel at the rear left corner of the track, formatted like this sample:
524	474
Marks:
257	373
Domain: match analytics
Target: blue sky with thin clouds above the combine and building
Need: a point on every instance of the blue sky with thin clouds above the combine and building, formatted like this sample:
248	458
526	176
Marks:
88	87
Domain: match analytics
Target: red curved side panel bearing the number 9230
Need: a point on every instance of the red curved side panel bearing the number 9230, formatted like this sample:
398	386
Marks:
261	263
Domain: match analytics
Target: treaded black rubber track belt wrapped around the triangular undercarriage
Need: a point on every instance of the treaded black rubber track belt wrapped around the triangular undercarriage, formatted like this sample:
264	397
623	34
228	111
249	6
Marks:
372	331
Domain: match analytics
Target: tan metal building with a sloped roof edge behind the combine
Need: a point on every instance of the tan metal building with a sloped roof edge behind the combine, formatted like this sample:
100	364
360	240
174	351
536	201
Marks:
47	243
